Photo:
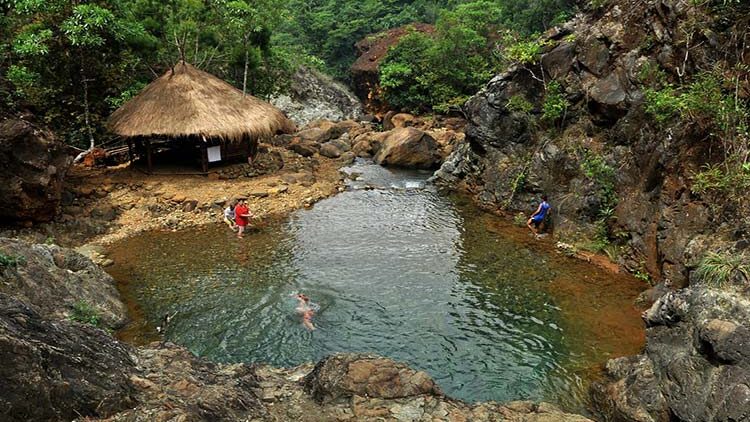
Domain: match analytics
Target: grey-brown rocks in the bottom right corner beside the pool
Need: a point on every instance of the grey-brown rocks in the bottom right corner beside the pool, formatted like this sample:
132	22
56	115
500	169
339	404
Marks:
695	366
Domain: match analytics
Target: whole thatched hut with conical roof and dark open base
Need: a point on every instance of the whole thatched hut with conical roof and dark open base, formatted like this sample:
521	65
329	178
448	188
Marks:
189	108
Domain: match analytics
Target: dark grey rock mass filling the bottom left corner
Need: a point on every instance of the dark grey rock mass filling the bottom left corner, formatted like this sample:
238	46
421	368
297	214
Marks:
58	370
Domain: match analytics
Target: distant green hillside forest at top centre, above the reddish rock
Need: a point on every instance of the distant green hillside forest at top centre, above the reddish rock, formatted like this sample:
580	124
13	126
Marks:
330	28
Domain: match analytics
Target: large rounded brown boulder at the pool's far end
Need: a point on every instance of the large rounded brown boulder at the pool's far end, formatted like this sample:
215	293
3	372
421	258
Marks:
408	147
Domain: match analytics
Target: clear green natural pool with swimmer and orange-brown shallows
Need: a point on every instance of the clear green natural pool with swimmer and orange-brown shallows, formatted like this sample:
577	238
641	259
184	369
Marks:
401	271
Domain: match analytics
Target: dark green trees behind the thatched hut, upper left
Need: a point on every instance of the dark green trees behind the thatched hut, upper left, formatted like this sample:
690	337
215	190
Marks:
72	63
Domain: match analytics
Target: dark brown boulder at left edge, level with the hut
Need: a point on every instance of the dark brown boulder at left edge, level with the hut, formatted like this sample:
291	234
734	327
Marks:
33	164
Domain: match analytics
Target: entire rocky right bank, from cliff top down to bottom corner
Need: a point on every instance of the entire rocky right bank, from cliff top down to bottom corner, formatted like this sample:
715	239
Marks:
587	124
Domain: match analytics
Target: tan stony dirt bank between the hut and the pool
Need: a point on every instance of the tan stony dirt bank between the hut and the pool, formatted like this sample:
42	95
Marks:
103	205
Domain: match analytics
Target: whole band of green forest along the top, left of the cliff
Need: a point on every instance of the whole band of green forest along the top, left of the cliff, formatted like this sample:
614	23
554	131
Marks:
73	62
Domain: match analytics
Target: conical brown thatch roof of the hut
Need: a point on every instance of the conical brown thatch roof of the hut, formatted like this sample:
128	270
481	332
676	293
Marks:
187	101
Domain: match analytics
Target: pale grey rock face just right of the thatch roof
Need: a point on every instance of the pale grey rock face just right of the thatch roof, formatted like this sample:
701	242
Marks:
314	96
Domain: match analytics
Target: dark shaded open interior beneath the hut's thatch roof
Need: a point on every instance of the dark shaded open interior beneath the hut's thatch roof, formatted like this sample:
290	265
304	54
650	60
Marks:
188	155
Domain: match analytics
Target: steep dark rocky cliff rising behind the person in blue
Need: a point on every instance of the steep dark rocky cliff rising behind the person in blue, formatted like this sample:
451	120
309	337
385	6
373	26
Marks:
574	124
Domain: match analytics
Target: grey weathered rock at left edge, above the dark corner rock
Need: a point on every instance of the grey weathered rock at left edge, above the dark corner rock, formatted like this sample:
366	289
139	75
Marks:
52	279
